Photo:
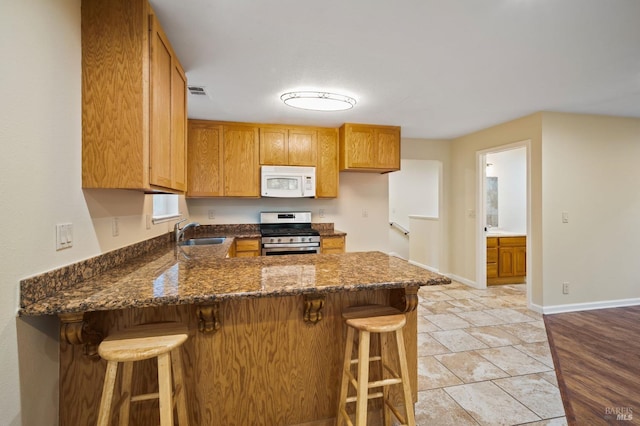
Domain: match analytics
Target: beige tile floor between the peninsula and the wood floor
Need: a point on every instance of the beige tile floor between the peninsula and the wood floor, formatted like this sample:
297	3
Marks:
483	359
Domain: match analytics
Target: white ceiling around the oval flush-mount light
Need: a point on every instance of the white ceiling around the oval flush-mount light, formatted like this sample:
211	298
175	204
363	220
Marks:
438	68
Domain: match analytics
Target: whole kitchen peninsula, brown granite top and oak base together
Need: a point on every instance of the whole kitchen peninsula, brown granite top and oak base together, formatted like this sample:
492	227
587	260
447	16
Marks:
266	335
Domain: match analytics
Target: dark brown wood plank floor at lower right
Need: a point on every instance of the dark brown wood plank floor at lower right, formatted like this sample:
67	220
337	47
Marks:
597	359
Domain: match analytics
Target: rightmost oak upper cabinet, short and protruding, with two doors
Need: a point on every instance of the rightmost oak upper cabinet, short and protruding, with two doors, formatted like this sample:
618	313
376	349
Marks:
369	148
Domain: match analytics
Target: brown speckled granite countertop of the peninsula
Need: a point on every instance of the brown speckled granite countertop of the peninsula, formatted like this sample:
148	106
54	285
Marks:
173	274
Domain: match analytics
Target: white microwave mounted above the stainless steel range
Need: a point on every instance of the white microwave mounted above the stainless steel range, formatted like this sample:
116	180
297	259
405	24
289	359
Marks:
288	181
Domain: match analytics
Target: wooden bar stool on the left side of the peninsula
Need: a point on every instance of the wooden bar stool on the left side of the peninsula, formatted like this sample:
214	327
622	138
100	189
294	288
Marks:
161	340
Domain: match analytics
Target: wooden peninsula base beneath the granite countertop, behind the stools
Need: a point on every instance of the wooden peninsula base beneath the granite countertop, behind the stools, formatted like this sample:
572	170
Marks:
248	361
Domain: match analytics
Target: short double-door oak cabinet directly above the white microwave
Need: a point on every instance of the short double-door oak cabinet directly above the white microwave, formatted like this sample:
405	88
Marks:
282	146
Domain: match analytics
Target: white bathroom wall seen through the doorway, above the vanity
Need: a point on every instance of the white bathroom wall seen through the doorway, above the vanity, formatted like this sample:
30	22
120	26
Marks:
510	167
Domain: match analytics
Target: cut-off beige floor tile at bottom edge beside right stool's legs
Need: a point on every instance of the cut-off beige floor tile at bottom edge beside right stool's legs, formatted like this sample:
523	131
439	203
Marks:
436	407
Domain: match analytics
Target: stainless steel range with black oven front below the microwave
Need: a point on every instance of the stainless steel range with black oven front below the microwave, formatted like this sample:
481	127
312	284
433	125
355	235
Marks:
288	233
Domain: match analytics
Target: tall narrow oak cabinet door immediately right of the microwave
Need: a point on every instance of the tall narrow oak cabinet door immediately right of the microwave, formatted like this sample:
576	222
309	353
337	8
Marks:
327	175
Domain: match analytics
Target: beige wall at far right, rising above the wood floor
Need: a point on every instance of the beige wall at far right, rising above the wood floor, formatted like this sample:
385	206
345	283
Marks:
591	172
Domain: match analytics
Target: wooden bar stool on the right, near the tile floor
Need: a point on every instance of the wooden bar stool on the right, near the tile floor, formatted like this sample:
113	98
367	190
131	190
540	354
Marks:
366	320
